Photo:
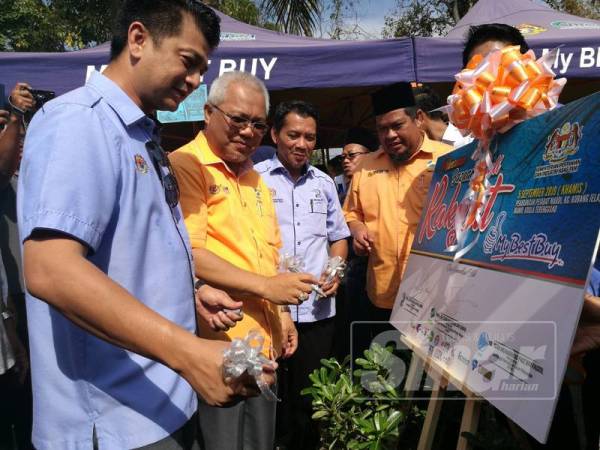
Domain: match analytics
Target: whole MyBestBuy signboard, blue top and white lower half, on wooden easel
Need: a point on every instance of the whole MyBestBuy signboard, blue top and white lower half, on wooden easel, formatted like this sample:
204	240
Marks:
501	321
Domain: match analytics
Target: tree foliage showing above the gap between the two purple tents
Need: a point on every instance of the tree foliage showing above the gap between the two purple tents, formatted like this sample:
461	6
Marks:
424	18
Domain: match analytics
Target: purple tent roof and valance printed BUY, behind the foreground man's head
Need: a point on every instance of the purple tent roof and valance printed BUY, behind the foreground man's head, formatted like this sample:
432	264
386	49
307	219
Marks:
283	61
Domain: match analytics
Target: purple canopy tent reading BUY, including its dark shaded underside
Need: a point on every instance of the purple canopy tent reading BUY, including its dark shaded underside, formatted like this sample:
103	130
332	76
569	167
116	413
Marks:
335	75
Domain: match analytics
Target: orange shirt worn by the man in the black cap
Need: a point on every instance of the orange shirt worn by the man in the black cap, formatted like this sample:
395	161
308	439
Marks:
388	199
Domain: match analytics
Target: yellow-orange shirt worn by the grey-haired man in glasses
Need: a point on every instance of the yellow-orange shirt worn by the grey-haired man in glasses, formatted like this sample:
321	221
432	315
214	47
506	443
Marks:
233	217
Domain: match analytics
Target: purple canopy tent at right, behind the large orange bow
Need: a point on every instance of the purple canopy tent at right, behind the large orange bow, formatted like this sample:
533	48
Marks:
578	39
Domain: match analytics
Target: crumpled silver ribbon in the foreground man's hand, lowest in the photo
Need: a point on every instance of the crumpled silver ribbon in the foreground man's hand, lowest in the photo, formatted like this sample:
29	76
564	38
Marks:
244	355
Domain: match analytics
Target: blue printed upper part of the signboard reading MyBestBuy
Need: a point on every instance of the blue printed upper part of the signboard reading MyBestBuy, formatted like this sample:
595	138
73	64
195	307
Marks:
542	212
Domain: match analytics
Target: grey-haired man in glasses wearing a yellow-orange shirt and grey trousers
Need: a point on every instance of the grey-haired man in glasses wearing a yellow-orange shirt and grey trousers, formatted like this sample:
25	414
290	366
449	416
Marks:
230	218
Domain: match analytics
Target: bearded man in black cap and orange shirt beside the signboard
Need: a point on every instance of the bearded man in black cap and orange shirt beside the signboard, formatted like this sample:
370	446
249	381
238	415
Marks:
388	193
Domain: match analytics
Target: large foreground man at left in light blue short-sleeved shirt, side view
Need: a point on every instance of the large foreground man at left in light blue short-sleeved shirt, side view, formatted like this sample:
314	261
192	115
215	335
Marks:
107	261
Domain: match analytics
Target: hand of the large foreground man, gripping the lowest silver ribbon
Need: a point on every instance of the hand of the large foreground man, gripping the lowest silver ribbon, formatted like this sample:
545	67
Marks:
202	368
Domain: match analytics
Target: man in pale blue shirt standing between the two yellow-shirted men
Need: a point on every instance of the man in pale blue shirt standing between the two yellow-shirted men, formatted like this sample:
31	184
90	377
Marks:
312	227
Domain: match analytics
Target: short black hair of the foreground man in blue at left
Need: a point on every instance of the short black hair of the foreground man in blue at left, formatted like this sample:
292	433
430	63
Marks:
163	18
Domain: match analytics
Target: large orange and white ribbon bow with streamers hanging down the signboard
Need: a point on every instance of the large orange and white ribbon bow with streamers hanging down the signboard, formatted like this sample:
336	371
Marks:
491	95
